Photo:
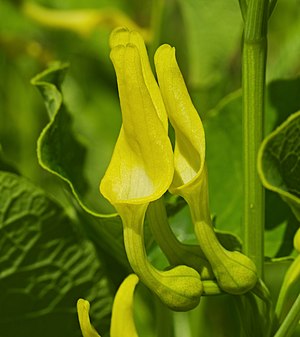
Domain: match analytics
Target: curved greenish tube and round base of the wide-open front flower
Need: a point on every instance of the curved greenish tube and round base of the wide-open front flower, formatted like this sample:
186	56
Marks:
178	288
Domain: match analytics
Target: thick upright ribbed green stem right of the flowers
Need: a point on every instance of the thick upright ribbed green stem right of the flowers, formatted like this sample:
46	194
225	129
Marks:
253	83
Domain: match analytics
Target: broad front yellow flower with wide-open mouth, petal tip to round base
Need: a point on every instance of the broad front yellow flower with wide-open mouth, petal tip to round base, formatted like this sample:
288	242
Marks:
141	169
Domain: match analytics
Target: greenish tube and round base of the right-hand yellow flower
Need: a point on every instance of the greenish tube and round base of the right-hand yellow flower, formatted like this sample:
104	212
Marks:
235	272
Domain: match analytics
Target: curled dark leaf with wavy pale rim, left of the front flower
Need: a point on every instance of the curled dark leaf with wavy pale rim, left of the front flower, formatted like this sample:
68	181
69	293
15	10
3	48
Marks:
60	150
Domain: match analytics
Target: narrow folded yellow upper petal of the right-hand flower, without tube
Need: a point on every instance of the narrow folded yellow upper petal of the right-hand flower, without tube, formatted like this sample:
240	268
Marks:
189	154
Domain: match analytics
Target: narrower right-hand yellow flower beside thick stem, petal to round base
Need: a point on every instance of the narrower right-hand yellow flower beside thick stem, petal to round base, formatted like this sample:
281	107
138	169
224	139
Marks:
235	272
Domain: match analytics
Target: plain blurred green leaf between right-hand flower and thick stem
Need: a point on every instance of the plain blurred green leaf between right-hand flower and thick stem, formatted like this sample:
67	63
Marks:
223	133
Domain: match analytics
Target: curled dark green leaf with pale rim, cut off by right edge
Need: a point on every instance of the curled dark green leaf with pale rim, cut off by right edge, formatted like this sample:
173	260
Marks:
279	162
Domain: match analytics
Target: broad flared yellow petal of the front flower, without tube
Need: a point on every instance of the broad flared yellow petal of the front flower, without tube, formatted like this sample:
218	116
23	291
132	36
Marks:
141	167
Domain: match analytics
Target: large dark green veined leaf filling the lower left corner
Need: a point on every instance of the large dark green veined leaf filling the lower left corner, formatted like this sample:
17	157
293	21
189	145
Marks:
46	265
